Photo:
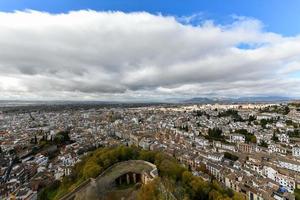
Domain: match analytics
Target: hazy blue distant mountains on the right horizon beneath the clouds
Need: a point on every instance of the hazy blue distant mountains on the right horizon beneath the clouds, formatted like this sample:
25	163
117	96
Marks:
258	99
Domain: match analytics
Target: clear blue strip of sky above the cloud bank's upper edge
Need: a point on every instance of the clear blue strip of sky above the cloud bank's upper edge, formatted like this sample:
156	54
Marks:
279	16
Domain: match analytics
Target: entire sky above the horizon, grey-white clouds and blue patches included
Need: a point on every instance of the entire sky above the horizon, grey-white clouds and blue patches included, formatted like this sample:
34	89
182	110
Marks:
150	50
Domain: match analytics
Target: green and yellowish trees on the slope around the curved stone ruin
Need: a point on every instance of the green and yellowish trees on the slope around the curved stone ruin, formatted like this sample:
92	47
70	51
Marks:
174	179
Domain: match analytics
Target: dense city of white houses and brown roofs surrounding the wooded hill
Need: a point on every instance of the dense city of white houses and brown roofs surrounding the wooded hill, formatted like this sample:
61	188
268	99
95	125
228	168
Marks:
253	149
